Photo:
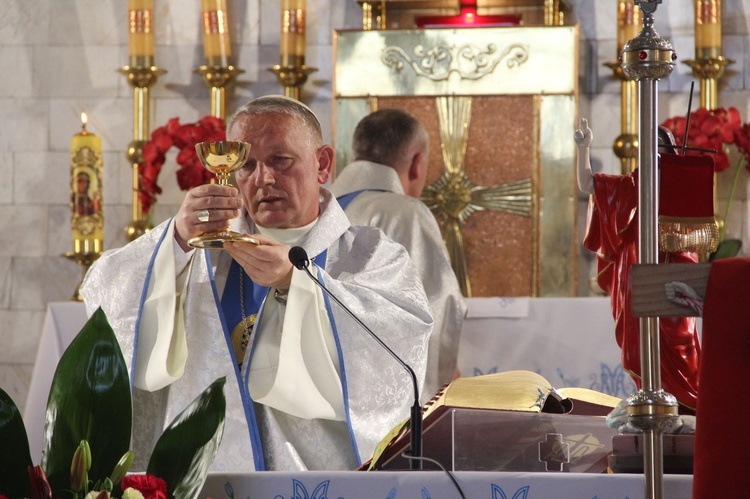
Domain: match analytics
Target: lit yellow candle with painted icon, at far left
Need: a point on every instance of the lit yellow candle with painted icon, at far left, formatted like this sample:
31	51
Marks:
87	219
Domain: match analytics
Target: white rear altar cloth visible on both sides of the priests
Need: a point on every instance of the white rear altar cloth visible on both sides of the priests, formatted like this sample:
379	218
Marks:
569	341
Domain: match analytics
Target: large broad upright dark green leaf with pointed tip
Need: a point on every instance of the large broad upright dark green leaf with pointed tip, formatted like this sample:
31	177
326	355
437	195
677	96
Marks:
89	400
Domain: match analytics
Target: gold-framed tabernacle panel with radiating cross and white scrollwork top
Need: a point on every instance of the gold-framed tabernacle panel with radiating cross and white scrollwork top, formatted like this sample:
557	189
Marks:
500	107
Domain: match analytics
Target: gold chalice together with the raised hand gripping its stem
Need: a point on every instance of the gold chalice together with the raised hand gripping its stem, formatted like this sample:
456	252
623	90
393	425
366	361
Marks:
207	209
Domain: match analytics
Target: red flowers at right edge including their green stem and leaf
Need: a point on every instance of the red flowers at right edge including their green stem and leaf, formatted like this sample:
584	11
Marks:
717	129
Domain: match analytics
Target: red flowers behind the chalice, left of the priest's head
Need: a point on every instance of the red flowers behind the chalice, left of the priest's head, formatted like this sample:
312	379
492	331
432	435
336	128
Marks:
191	172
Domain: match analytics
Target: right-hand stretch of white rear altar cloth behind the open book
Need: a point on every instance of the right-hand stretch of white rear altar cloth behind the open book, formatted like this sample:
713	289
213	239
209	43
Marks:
569	341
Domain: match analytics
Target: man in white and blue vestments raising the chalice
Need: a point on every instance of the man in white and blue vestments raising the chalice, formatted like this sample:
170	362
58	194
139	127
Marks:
307	388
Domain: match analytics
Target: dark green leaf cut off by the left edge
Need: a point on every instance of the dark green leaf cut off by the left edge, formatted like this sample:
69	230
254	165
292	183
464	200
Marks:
15	456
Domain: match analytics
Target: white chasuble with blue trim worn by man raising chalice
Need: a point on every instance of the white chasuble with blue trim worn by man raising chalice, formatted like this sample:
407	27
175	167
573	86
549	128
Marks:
372	275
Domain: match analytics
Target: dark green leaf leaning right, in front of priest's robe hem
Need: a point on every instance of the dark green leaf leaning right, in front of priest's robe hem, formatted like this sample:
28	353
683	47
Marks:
185	451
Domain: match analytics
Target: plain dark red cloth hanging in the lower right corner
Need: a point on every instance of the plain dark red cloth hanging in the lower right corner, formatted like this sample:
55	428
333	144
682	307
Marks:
721	439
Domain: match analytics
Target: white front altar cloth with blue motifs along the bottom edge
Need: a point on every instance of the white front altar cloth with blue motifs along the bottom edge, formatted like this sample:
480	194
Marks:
437	485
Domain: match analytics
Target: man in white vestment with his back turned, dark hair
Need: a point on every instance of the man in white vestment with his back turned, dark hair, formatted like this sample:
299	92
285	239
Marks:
381	188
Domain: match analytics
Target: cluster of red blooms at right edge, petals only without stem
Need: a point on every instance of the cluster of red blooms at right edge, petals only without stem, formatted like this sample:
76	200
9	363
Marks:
711	130
